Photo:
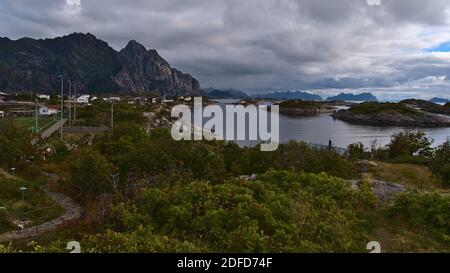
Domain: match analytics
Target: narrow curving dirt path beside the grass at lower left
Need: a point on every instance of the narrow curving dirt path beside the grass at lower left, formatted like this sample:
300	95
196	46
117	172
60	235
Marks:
73	212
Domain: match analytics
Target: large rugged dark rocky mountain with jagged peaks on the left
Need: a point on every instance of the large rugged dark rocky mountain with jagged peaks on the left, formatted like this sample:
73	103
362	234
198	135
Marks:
34	65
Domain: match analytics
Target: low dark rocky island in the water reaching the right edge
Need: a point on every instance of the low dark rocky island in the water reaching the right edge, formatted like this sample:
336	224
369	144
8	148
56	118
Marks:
391	114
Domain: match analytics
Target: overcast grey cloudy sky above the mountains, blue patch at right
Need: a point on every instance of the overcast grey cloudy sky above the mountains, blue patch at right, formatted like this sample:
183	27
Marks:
394	48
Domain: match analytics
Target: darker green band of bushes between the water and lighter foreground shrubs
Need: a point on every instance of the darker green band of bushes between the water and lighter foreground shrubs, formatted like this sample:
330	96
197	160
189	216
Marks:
132	154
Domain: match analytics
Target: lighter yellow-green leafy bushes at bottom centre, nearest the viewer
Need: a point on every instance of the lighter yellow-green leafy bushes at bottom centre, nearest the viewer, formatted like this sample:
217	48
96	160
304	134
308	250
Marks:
278	212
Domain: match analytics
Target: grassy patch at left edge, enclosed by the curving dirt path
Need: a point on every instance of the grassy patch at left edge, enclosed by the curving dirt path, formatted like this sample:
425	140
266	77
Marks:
36	208
